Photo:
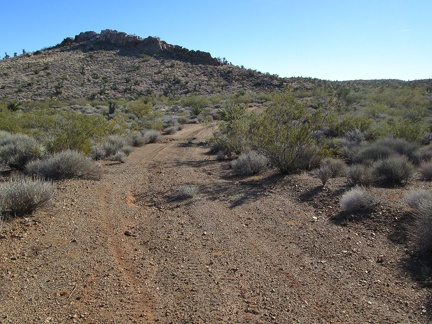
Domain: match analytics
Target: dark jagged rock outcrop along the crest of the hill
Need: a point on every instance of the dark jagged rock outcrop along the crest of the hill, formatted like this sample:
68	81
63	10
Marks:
135	45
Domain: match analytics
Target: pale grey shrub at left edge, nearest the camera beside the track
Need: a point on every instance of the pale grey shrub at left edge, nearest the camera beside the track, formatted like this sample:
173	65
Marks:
20	195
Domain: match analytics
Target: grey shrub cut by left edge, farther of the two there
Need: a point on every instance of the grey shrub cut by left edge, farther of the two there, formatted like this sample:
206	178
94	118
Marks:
16	150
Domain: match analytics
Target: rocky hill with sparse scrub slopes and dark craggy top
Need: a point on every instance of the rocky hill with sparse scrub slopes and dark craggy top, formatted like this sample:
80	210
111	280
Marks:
112	65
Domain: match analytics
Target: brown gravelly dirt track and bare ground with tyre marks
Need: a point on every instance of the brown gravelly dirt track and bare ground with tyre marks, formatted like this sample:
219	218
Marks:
262	249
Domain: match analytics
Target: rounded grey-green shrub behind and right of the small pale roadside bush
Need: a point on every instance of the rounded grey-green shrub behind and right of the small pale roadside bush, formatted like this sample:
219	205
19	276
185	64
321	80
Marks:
394	170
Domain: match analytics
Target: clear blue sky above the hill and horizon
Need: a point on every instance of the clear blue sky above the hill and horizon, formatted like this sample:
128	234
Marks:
326	39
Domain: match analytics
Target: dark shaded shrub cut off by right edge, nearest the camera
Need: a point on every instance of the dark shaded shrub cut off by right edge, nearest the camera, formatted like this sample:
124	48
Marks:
421	231
